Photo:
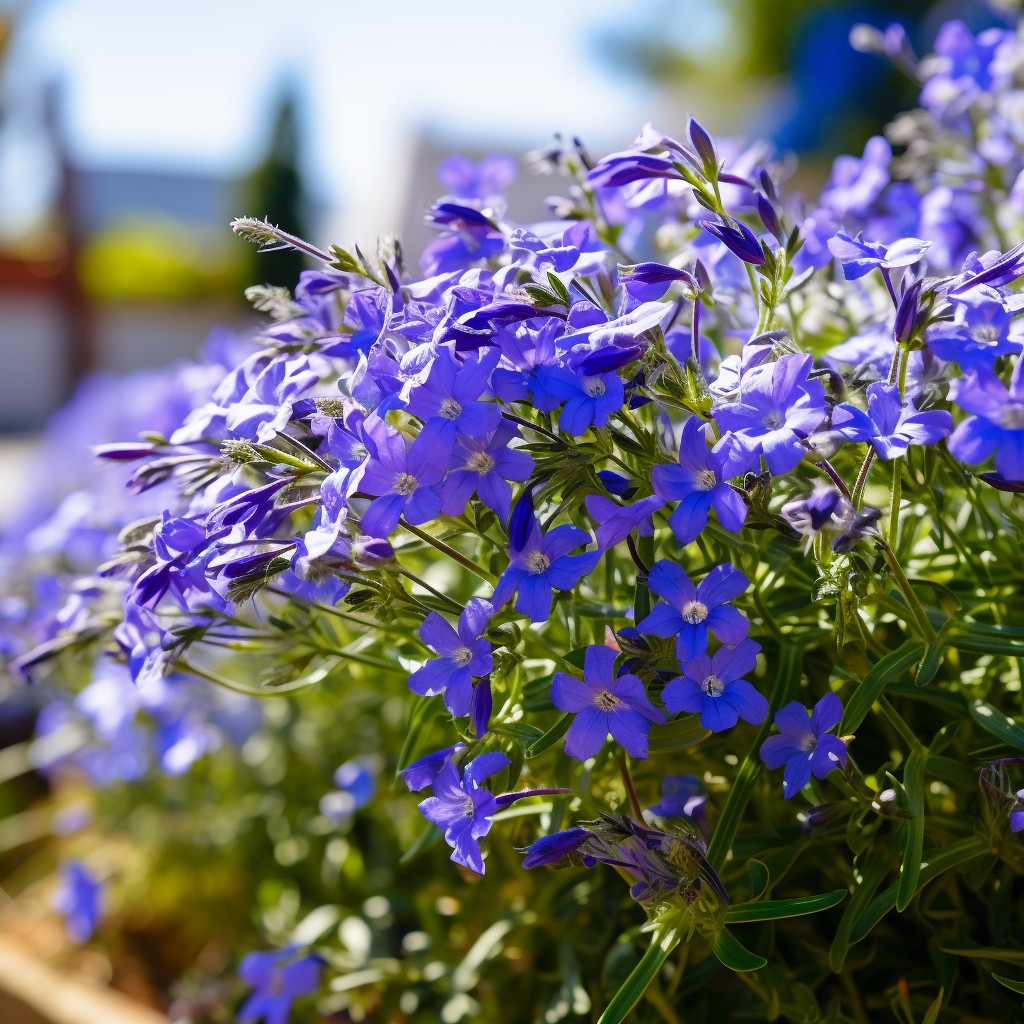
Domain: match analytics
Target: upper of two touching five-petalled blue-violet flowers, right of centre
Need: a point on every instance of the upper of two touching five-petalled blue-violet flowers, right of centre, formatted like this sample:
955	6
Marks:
692	612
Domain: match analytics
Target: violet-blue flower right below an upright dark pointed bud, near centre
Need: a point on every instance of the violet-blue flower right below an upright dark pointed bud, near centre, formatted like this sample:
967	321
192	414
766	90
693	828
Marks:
542	565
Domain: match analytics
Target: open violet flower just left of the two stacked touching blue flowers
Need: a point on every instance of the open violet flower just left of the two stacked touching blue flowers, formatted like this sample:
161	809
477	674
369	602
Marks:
604	704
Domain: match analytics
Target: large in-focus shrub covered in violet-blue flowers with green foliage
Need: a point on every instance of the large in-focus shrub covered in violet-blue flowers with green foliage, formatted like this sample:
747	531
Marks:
607	520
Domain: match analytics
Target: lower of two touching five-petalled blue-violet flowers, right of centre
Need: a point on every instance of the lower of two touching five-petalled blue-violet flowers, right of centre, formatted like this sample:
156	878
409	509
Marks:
715	688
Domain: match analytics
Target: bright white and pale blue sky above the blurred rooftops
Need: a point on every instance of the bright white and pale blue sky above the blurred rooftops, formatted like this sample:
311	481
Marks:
188	84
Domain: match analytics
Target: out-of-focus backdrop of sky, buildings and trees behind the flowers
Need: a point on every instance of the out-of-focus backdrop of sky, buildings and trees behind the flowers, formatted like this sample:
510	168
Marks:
132	134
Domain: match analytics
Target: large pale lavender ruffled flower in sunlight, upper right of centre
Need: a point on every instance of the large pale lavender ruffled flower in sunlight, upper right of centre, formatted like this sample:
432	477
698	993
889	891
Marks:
779	406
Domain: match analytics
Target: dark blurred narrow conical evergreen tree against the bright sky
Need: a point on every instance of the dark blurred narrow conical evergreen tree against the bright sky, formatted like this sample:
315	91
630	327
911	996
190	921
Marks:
275	191
